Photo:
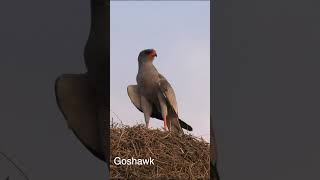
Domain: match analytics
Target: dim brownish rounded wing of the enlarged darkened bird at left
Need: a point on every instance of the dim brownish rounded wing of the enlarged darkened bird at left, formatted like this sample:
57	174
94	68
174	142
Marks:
76	100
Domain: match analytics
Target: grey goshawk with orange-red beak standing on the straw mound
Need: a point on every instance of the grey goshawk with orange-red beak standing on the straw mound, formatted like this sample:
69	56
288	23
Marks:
154	96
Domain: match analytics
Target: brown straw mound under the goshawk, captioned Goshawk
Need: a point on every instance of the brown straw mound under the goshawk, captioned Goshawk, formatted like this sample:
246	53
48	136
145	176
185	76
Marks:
175	157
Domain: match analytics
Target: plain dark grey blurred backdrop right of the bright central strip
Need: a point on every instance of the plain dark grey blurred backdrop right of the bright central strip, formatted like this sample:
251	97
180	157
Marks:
266	88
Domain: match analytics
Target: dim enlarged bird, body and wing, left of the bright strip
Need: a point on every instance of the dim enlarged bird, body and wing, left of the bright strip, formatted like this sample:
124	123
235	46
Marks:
83	98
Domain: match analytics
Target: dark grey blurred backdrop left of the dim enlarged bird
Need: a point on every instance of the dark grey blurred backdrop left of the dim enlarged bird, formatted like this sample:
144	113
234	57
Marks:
40	40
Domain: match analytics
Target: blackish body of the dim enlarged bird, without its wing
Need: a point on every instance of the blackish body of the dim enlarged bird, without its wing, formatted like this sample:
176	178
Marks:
97	60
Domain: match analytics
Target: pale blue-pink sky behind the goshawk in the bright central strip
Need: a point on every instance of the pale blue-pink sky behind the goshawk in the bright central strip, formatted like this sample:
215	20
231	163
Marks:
180	33
